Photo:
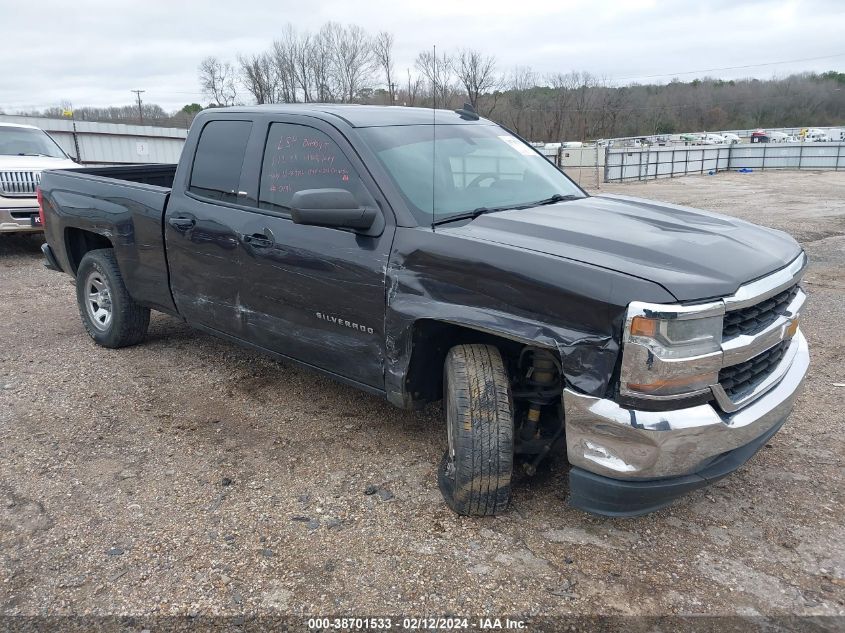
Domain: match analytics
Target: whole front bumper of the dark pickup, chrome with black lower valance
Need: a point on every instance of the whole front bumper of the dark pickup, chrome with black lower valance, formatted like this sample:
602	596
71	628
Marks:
627	462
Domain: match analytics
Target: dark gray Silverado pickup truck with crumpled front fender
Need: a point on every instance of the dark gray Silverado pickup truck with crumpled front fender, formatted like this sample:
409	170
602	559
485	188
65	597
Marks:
431	255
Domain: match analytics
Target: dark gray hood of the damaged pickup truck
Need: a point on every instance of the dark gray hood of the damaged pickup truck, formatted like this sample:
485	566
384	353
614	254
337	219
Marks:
693	254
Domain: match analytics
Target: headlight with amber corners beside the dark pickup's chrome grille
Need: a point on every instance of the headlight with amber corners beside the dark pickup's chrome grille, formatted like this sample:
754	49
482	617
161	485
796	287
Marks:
671	351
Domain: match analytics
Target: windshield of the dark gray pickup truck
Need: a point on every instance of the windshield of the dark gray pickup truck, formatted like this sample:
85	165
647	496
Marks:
471	166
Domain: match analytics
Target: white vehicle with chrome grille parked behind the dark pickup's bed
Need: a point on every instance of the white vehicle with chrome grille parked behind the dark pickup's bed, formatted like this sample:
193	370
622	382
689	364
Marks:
25	151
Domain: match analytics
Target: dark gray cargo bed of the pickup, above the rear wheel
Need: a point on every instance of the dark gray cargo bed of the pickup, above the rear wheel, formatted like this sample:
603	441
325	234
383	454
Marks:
119	207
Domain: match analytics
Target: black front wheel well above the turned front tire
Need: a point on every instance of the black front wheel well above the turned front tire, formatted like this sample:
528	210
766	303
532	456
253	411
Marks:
431	341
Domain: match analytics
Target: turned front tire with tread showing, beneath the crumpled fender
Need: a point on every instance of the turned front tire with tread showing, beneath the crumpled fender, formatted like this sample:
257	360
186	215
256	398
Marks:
475	474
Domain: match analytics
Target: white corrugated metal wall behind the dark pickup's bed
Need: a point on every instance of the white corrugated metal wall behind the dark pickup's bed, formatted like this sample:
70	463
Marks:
110	143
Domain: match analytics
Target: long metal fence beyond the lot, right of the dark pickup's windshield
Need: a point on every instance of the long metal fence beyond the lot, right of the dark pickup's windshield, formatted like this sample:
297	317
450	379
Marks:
628	164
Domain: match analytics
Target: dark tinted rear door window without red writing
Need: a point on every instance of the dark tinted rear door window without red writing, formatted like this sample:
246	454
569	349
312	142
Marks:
220	156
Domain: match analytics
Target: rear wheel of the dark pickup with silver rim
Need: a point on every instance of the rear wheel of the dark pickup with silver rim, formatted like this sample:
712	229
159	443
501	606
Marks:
109	314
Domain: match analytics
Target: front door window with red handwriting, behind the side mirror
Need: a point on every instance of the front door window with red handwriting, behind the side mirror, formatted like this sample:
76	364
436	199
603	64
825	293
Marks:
298	157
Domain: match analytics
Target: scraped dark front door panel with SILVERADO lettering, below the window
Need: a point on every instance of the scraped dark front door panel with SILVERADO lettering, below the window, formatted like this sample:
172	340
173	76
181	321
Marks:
317	294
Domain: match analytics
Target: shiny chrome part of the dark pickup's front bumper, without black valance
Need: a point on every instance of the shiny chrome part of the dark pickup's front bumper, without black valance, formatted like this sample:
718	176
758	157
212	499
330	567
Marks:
609	440
